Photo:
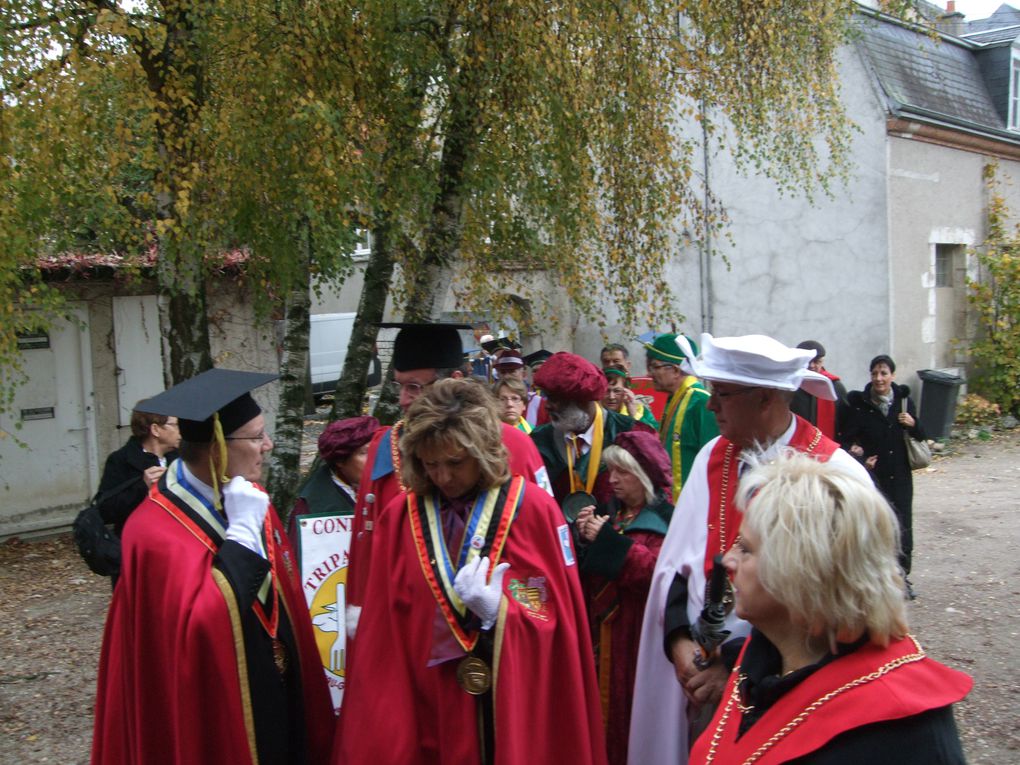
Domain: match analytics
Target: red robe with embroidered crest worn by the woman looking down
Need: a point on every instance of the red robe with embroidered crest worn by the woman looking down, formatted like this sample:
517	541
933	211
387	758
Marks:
399	710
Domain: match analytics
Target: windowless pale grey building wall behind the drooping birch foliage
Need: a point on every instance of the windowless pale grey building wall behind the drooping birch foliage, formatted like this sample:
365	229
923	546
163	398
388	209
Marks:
799	271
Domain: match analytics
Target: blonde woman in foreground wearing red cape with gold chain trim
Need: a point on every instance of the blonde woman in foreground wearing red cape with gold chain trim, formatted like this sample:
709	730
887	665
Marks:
830	674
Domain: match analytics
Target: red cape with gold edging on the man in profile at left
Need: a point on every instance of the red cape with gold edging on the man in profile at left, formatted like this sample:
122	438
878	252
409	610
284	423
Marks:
173	687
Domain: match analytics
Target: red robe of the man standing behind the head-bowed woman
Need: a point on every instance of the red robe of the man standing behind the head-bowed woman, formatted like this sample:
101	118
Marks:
381	484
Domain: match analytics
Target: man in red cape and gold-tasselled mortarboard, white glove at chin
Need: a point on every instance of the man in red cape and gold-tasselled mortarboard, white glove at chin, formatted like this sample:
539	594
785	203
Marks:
209	655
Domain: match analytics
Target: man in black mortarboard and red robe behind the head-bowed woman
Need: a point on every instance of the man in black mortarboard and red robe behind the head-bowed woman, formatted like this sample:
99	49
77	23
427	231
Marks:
422	355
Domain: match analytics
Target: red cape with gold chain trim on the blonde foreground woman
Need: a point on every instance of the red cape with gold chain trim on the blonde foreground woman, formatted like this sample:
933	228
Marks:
872	685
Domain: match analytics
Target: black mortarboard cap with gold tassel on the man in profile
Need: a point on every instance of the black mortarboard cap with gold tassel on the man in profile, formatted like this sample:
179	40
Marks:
195	401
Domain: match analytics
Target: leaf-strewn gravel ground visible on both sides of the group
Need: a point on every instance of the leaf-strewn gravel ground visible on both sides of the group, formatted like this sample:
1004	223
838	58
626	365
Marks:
966	573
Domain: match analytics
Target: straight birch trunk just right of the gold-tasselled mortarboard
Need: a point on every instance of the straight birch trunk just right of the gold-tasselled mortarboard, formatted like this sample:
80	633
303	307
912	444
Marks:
285	461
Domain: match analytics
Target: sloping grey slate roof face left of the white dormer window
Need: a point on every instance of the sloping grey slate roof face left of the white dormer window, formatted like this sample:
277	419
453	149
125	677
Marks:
939	79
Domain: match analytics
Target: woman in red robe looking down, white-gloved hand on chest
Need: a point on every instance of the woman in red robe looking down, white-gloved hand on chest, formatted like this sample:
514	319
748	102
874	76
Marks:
472	641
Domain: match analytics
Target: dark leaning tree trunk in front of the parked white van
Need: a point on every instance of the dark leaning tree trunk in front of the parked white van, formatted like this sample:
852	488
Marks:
379	274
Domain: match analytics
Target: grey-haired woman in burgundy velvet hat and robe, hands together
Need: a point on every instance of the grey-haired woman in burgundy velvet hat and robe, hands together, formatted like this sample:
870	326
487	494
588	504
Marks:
618	555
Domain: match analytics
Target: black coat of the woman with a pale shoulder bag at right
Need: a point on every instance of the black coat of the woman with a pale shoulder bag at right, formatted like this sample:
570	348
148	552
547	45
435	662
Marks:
882	435
